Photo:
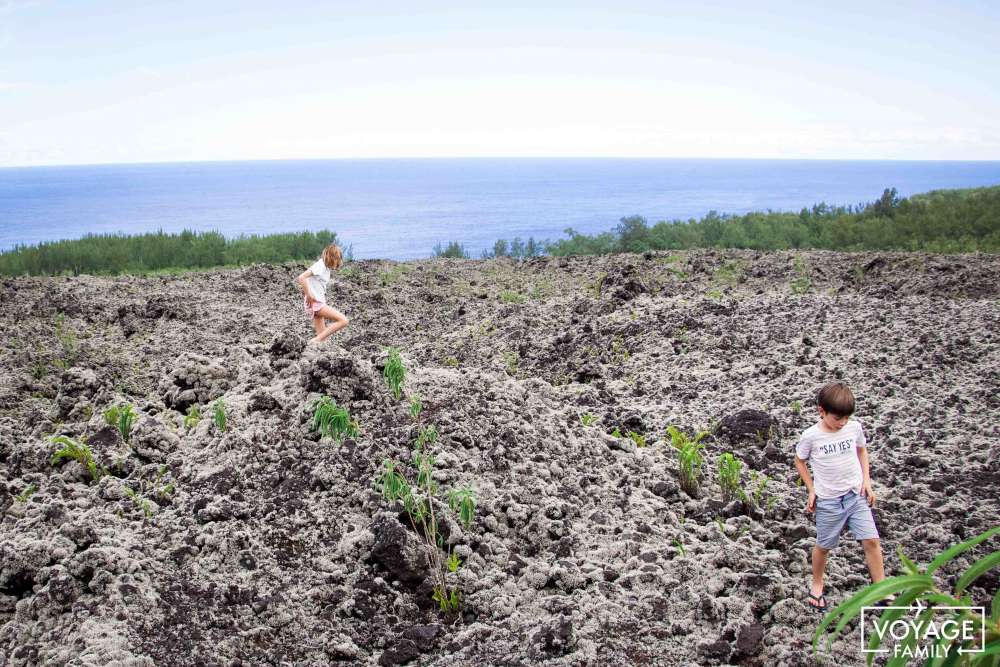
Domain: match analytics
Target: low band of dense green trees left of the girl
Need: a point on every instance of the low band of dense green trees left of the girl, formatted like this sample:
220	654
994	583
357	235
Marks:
118	253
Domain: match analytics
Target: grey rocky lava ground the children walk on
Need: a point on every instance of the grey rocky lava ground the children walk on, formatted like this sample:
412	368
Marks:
265	544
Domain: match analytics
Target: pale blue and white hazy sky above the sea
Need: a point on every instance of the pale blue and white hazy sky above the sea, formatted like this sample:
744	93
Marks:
88	82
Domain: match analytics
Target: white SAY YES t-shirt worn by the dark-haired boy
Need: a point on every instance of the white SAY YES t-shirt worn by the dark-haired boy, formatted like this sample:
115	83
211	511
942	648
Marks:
833	458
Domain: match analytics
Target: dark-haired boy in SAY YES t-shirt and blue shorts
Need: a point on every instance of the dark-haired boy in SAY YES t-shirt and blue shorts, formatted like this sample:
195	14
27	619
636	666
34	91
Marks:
839	485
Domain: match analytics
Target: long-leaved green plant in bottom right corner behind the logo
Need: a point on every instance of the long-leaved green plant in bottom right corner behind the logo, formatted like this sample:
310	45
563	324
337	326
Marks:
919	599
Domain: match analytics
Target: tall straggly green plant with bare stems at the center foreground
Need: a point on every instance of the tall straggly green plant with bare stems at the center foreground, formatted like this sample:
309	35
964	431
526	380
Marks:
419	493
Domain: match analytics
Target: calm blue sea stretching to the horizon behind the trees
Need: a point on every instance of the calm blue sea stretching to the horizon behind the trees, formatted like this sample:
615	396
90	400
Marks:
400	209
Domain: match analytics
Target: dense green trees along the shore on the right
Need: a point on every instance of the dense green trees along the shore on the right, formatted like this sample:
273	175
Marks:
937	221
